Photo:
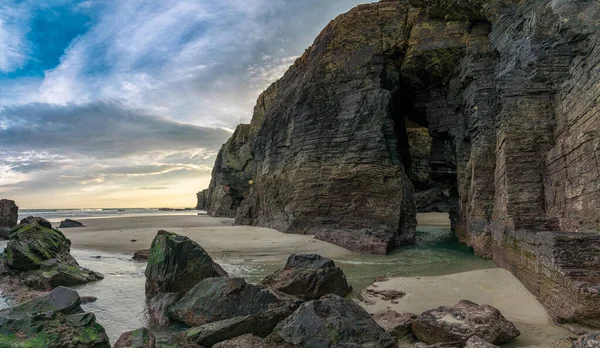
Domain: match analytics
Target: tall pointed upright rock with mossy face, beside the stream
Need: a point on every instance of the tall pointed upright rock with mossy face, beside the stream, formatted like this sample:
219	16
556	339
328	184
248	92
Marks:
175	265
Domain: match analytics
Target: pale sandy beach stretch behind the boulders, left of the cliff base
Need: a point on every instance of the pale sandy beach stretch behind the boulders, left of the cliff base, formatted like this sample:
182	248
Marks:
217	236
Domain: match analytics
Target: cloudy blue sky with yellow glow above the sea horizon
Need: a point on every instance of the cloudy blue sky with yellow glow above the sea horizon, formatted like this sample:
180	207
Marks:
112	103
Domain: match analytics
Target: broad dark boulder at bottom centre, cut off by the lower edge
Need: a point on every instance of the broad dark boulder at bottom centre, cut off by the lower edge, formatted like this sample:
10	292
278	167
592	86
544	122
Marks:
331	322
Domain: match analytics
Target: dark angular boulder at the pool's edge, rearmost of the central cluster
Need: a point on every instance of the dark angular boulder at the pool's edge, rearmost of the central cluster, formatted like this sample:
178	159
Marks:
309	277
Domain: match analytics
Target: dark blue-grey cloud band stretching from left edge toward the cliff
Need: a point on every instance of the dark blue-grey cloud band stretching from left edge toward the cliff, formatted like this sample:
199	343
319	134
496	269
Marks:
99	129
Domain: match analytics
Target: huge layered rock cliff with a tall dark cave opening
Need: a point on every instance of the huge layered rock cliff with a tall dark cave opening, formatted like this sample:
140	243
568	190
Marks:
507	92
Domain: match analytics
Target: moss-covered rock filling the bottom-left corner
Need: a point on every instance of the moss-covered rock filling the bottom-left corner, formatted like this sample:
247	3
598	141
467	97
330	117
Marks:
52	320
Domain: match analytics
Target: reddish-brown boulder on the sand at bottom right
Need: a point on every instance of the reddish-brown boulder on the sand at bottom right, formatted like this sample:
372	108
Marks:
463	321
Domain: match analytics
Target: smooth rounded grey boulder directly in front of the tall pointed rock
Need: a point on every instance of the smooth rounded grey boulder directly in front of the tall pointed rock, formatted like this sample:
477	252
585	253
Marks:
215	299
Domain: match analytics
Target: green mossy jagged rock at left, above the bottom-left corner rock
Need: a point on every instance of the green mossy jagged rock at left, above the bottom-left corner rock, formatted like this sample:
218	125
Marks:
40	256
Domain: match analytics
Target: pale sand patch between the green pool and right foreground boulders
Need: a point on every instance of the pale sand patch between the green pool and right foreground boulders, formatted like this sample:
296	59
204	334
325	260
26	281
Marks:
496	287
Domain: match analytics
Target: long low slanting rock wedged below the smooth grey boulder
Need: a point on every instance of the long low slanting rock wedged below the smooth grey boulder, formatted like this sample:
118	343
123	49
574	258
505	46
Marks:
260	324
